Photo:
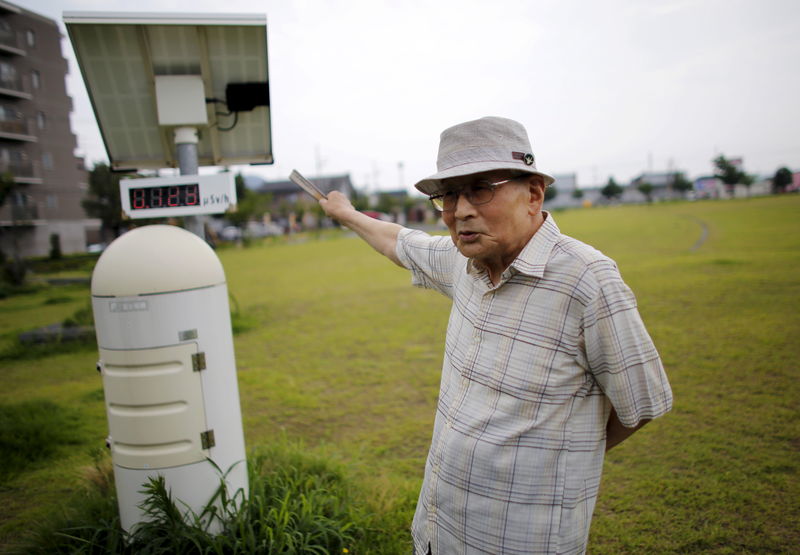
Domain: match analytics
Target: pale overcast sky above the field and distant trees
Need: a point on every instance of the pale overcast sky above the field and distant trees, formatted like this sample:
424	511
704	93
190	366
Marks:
610	88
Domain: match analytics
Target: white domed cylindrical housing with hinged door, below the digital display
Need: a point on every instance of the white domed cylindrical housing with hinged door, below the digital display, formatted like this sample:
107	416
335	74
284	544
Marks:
163	327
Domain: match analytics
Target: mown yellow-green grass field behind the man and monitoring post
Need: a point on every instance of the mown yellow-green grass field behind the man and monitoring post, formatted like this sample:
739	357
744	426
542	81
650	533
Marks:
338	353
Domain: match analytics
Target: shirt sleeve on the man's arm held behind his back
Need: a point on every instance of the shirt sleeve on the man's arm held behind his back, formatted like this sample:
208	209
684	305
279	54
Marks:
620	353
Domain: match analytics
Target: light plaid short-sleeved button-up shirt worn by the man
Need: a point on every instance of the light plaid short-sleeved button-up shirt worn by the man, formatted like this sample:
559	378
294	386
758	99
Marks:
531	369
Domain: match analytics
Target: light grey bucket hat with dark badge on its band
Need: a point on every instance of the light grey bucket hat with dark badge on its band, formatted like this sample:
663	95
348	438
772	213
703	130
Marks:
485	144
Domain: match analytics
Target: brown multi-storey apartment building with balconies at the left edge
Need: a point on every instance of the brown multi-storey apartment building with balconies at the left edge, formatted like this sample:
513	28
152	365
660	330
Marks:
37	146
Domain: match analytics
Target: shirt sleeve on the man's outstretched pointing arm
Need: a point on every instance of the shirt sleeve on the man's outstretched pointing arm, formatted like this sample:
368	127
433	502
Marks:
431	259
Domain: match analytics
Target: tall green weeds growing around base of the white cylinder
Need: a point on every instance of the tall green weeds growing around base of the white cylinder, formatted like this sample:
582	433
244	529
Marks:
297	504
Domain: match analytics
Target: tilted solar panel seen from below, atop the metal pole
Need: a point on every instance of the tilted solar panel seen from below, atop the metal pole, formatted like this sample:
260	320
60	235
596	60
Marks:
121	54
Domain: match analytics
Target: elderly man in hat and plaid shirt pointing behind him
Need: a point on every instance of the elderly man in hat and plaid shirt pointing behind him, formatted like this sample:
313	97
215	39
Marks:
547	363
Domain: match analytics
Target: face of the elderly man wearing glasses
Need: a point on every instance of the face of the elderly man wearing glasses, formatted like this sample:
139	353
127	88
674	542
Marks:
494	233
